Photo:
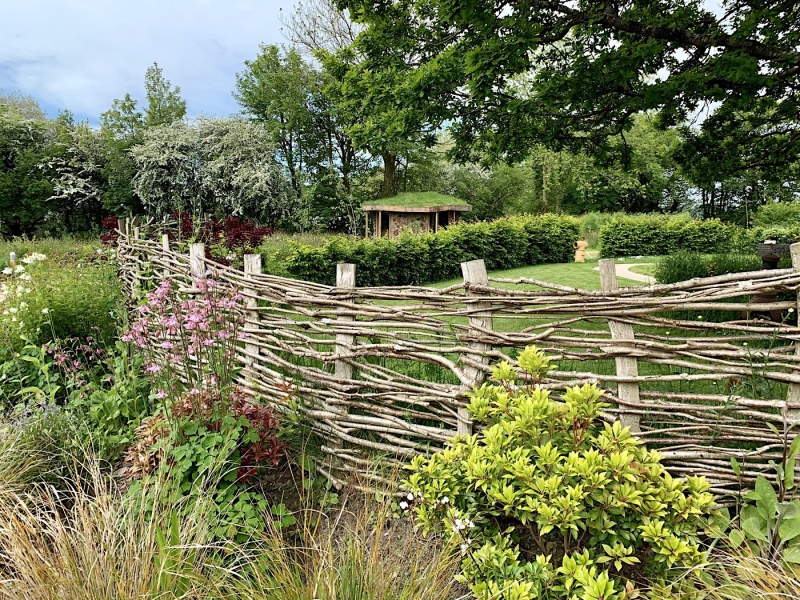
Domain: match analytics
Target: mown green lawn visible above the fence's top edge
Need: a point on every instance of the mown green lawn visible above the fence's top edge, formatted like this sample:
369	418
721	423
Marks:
580	275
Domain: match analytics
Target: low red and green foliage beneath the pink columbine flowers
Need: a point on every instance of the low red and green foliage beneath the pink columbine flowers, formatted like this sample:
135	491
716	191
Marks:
208	446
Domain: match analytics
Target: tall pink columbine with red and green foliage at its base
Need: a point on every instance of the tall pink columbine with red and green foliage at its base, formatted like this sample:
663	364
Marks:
209	436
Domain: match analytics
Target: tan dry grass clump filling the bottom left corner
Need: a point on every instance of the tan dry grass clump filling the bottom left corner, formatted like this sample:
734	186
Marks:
88	543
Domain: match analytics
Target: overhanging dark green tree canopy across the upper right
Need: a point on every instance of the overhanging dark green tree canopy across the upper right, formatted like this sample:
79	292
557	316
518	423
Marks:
572	74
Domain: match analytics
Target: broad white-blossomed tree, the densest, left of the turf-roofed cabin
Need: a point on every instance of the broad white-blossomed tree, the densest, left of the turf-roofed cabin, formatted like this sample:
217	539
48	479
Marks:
223	166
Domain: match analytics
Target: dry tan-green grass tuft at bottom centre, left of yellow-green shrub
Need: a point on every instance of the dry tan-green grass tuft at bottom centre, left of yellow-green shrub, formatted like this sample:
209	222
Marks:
359	554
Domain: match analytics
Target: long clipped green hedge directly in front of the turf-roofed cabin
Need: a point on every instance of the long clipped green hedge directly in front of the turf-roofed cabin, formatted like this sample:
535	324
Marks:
414	259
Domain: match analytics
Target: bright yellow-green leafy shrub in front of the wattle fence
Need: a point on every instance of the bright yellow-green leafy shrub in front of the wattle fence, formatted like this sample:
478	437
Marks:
550	503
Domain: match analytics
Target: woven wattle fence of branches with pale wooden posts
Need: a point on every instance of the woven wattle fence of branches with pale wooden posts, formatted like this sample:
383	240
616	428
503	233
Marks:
384	372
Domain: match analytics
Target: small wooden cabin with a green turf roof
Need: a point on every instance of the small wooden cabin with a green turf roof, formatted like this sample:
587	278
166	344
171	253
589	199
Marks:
422	212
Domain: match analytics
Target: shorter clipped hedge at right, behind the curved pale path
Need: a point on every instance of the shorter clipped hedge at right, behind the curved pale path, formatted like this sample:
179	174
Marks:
656	235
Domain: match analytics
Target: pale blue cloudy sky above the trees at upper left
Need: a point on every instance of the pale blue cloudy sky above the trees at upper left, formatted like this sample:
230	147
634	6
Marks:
82	54
